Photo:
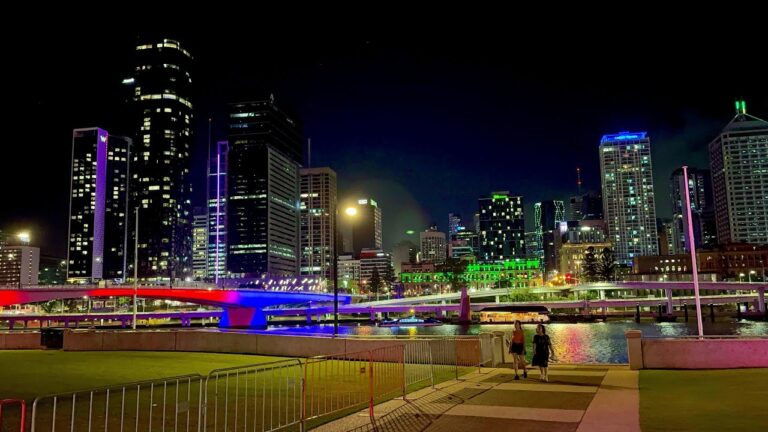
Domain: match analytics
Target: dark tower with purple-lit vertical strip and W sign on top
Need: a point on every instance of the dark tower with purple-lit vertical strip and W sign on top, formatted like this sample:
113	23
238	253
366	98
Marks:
98	206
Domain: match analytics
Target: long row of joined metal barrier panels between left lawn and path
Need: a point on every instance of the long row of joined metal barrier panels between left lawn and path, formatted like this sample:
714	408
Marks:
264	397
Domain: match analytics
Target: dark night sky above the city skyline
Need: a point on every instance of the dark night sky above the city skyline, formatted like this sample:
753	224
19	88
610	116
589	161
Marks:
423	119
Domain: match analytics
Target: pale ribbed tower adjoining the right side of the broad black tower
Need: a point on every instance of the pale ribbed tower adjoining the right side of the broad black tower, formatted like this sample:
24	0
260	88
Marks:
318	221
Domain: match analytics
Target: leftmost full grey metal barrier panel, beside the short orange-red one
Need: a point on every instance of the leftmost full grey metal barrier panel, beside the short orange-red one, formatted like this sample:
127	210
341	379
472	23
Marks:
167	404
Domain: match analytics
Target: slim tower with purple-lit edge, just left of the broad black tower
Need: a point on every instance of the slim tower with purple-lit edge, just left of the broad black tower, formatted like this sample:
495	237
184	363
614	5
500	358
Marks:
217	212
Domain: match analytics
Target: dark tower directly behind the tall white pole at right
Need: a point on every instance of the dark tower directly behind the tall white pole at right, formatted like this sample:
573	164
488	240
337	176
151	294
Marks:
702	210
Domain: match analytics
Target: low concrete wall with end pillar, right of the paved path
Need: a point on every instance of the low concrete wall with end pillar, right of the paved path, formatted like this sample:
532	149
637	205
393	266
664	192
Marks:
688	353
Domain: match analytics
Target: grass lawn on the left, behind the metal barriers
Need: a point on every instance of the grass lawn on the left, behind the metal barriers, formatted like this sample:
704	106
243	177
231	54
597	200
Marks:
27	374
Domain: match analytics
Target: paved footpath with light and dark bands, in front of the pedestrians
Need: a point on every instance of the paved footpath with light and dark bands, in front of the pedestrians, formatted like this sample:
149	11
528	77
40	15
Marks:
577	398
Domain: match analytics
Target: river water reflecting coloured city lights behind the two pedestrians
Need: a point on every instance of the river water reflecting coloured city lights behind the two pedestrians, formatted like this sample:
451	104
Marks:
573	343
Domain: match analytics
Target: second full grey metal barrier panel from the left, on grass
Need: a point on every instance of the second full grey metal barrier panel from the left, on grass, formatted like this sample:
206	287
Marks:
261	397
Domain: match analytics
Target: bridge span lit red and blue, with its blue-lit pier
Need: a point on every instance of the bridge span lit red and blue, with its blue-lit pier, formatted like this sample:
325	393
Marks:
241	307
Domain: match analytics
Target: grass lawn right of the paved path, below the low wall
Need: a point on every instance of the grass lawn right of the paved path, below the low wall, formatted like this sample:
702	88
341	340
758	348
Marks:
704	400
